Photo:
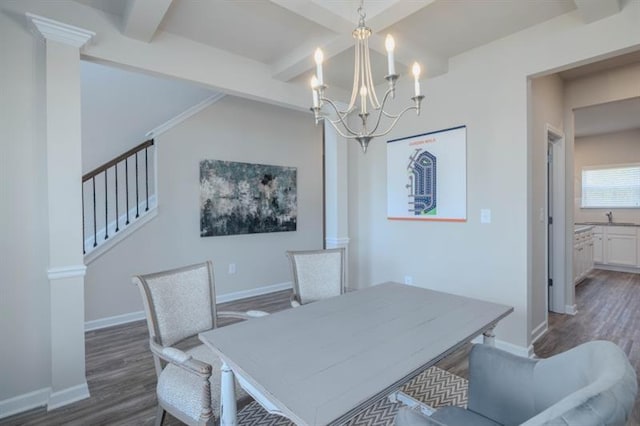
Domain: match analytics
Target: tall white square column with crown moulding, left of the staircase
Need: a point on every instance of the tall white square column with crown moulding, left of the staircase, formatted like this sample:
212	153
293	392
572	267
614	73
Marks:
64	205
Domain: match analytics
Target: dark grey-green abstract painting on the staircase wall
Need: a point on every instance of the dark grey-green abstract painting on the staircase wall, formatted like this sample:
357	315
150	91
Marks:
244	198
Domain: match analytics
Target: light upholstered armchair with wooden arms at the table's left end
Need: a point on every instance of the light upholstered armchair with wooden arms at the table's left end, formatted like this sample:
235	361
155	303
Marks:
180	303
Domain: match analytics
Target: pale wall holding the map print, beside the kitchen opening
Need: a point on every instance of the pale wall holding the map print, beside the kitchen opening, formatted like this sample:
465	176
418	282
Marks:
485	89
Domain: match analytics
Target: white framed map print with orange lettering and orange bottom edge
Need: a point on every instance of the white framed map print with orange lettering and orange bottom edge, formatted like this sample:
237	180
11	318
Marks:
427	176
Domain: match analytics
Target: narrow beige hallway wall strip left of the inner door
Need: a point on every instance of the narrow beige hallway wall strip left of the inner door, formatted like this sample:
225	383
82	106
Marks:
547	109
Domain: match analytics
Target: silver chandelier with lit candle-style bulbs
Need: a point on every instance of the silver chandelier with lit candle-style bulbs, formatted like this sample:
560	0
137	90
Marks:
369	106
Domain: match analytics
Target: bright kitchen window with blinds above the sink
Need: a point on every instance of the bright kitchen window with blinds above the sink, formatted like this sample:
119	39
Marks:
615	186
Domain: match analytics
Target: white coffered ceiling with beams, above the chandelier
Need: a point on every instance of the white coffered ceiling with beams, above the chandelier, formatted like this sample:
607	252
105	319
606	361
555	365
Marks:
282	34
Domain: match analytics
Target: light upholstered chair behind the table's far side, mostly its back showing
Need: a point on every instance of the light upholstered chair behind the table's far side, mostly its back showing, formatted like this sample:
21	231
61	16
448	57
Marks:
317	274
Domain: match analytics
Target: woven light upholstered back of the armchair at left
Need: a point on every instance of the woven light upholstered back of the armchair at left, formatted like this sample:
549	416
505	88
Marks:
179	303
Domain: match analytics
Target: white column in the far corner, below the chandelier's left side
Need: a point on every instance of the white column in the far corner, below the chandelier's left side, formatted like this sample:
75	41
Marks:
336	193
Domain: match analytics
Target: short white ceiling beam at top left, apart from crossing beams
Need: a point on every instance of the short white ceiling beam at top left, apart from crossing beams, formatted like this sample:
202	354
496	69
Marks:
143	17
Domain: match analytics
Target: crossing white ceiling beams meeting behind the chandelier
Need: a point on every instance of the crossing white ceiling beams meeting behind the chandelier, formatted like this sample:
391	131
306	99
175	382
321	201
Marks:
300	60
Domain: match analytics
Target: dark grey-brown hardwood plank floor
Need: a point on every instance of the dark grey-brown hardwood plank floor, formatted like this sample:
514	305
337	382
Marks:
122	380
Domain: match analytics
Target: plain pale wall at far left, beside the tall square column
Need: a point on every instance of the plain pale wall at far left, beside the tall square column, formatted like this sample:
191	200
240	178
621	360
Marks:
24	288
